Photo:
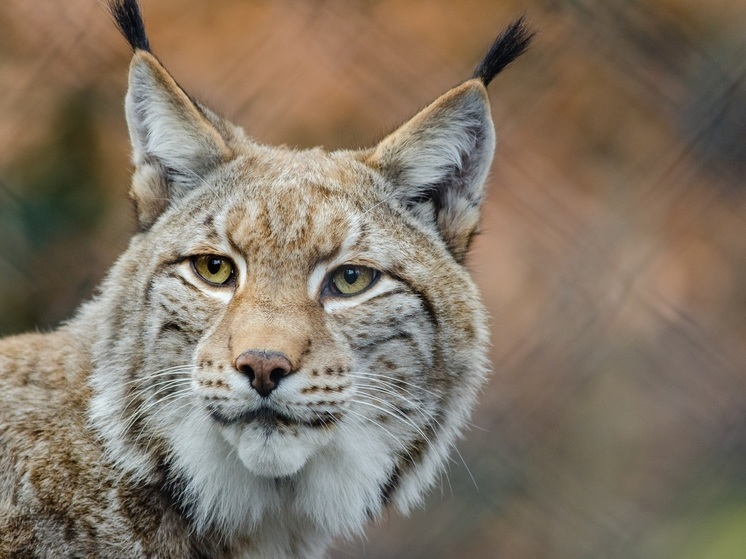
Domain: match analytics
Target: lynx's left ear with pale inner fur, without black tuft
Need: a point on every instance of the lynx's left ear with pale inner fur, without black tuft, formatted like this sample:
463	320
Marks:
174	143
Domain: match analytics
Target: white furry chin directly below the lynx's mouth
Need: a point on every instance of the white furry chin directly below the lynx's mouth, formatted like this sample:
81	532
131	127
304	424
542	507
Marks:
271	453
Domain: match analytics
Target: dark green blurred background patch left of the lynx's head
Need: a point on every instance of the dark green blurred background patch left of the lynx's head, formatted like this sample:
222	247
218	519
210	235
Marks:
53	202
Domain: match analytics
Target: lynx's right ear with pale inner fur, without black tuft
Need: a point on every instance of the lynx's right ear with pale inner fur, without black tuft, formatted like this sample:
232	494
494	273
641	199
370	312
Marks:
439	160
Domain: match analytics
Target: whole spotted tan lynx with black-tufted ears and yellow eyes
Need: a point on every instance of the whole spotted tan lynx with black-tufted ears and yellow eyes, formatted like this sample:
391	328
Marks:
289	345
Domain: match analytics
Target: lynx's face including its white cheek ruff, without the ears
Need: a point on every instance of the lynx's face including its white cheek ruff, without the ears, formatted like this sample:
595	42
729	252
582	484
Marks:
289	319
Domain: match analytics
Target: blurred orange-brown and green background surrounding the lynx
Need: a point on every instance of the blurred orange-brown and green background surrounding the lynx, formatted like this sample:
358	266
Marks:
612	259
